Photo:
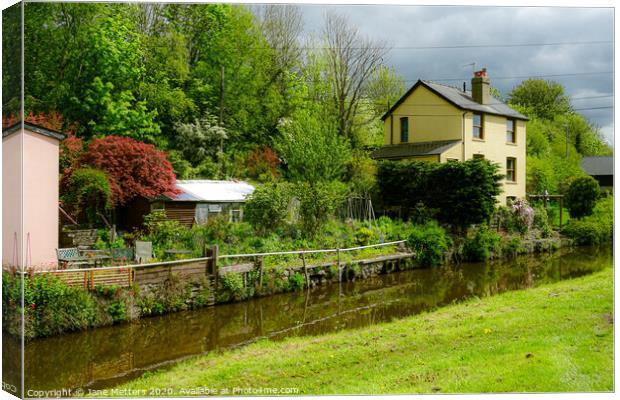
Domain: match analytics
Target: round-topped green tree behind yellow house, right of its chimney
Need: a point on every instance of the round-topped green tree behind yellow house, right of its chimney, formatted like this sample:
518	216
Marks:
544	99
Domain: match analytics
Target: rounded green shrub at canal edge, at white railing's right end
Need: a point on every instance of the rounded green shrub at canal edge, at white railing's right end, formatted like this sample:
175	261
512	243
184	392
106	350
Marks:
430	242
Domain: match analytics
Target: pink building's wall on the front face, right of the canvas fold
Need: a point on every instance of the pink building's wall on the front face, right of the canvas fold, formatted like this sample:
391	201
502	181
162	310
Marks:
40	199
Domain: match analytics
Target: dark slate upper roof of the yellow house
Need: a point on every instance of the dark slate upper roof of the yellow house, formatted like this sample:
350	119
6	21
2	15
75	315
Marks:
460	99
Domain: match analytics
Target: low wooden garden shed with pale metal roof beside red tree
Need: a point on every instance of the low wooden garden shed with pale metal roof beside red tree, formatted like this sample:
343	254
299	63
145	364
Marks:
197	201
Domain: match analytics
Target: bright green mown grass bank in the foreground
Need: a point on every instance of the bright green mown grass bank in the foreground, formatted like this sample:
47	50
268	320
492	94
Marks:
553	338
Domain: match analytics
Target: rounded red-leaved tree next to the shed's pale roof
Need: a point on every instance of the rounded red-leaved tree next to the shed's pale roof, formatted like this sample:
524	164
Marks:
134	168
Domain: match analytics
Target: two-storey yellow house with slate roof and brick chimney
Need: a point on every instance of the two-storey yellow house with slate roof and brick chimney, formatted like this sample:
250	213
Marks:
440	123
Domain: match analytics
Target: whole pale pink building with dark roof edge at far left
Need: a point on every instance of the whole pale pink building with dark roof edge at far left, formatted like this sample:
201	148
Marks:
30	196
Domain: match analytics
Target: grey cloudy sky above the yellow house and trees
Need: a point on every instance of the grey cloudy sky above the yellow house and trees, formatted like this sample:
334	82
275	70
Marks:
590	84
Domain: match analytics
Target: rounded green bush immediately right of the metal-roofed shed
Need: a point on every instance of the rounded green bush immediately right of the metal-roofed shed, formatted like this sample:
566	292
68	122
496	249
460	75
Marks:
267	208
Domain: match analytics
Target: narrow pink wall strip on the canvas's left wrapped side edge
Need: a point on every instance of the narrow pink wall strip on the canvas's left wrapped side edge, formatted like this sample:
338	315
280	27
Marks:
12	200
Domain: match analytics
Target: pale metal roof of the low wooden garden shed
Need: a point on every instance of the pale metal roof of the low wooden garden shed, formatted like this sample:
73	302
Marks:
212	191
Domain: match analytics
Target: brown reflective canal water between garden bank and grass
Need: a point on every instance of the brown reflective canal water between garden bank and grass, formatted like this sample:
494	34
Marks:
107	356
